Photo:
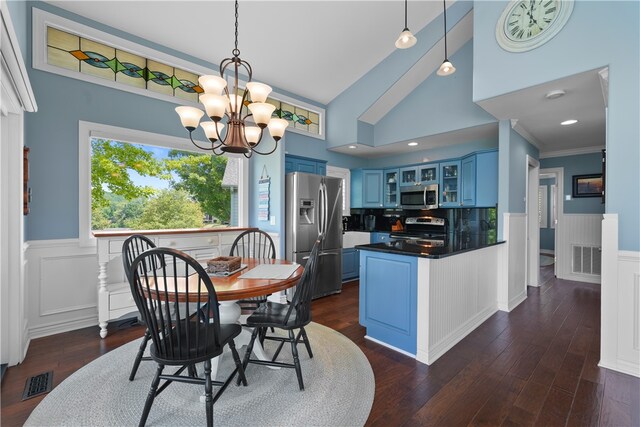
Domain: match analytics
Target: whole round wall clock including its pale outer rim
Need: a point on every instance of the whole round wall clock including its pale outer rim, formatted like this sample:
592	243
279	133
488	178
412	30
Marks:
527	24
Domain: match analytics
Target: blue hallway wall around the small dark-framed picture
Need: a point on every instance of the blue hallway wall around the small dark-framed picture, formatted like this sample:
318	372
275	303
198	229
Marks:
577	165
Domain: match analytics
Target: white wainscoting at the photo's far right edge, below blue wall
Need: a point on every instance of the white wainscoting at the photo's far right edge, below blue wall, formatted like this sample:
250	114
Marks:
620	319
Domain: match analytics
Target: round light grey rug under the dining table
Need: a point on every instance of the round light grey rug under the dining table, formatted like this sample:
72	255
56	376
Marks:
339	390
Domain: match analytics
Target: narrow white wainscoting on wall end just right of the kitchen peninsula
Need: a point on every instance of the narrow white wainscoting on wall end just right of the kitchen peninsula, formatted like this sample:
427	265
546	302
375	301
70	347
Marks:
512	285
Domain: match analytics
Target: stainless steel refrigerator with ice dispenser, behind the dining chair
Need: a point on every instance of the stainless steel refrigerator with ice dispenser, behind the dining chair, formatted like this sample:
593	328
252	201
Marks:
313	205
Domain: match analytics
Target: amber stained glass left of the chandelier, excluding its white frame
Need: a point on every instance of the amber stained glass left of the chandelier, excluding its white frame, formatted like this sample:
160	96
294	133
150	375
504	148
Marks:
86	56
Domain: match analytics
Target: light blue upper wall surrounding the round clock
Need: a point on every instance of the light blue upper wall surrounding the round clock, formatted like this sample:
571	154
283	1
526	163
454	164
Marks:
578	48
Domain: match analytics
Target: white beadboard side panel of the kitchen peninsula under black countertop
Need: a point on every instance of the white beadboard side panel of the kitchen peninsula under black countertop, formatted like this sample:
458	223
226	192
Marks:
455	295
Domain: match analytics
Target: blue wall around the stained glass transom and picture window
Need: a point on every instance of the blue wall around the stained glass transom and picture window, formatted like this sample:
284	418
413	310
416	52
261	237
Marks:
52	132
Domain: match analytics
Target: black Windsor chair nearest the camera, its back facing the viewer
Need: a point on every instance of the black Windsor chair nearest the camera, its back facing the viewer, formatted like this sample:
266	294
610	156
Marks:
193	333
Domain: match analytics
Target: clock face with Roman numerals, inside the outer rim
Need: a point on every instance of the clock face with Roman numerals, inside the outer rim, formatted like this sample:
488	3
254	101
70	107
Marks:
528	18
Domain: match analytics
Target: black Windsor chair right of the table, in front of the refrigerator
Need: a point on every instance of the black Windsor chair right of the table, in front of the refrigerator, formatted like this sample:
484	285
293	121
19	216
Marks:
289	317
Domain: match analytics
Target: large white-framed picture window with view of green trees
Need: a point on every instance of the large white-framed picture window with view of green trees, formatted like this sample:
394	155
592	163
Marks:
137	180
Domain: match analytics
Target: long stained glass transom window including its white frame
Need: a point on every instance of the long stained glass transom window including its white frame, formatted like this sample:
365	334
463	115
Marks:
70	49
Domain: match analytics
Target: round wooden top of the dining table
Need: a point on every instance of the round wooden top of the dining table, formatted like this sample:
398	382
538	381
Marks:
232	287
